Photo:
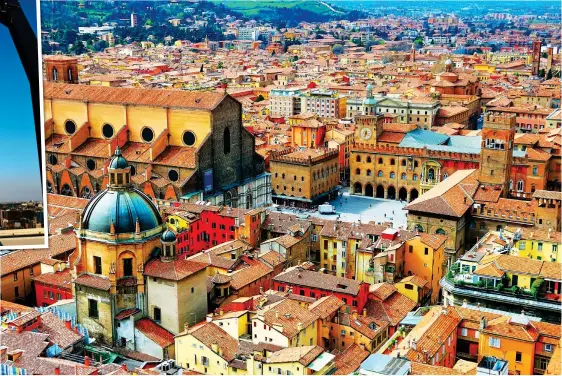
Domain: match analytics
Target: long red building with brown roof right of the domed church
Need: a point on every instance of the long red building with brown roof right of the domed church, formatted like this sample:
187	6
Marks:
317	285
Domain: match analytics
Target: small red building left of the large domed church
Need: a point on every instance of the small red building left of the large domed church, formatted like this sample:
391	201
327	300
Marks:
52	287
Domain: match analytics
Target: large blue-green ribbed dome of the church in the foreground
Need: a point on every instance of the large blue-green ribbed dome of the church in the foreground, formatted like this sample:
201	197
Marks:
121	208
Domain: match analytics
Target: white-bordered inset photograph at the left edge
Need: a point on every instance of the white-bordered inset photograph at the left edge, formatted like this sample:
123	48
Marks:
22	192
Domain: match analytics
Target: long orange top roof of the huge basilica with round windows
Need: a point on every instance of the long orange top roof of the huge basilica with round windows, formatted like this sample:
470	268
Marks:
141	97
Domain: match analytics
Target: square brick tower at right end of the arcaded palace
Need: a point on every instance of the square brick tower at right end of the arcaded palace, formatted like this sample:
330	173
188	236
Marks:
496	155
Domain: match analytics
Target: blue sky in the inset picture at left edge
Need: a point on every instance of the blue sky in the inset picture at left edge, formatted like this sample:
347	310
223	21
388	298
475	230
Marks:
20	178
